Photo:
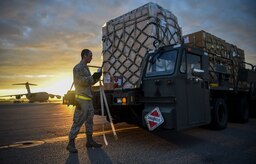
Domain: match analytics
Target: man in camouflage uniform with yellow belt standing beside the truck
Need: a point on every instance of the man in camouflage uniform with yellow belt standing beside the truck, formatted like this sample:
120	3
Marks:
84	111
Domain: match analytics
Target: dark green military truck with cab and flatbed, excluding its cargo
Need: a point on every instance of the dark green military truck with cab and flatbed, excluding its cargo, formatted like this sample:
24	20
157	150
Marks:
188	91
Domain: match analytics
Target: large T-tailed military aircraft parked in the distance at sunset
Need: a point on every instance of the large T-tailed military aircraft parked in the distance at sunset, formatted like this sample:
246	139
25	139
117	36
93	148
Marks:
32	97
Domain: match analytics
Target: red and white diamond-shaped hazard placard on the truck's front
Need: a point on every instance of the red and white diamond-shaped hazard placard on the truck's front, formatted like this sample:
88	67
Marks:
154	119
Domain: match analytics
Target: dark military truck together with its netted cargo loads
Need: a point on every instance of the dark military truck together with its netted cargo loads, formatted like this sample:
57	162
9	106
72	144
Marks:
193	80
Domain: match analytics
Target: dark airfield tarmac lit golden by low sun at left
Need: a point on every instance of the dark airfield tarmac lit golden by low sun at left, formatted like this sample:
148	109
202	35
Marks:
37	133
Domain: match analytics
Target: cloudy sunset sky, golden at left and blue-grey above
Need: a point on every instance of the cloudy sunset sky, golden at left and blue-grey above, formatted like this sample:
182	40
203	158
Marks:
41	41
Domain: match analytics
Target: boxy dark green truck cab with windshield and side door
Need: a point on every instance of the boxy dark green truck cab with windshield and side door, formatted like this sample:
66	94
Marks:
175	79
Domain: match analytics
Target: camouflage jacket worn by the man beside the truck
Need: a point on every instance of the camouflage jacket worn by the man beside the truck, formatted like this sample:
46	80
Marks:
83	80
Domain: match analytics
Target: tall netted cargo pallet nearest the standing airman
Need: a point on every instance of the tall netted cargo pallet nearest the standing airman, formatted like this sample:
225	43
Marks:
127	38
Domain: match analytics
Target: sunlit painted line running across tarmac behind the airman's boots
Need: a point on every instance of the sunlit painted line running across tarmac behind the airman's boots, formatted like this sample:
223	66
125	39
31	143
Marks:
27	144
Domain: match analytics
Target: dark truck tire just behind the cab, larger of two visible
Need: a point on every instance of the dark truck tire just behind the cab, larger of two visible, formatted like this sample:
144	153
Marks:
219	114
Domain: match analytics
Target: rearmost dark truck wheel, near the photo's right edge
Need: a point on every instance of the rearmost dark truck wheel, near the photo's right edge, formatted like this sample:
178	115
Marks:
242	111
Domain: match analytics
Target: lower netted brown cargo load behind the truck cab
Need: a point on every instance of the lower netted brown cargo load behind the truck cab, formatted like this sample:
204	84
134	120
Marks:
220	52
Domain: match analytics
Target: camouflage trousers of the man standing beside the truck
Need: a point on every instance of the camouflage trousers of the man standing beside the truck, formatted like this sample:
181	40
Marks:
83	114
